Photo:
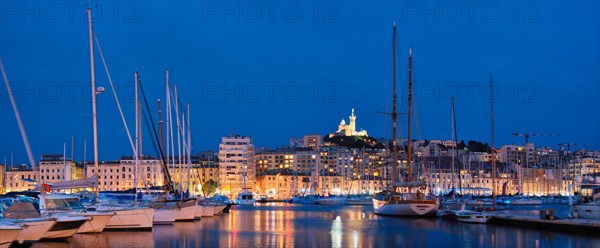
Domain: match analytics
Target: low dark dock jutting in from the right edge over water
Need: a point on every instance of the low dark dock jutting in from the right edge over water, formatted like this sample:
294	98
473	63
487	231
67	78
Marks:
582	226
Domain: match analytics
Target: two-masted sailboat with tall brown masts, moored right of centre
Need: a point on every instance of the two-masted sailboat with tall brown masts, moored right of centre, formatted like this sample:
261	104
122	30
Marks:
409	203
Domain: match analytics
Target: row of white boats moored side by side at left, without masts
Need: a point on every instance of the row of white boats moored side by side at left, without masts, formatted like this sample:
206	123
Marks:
63	215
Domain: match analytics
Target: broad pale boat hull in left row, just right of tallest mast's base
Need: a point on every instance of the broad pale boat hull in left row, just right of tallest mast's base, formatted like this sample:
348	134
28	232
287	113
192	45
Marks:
132	219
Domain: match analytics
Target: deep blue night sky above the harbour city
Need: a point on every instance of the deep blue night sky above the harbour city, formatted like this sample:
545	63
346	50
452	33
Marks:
269	71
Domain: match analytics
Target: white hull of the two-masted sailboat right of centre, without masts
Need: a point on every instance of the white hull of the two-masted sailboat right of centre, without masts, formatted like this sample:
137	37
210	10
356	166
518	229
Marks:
405	208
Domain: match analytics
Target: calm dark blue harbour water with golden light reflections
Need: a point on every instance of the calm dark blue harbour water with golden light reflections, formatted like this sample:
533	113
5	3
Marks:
283	225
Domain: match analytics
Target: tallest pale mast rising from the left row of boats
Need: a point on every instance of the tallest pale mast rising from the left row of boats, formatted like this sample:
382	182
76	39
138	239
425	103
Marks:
93	84
